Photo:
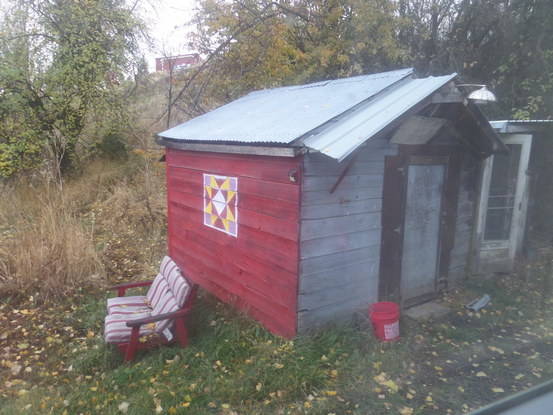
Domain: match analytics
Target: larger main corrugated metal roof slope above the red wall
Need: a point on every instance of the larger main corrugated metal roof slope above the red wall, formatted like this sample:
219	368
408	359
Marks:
281	115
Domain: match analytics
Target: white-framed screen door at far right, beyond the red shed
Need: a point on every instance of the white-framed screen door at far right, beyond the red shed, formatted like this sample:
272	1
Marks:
503	205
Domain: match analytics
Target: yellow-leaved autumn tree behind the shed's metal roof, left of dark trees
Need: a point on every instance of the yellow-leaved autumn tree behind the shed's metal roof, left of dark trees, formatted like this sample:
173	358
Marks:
252	44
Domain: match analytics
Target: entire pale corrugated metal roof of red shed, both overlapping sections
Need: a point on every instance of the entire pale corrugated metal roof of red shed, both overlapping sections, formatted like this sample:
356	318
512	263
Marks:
283	115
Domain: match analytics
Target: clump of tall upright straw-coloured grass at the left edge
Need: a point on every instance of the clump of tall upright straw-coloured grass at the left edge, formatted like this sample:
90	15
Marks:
44	251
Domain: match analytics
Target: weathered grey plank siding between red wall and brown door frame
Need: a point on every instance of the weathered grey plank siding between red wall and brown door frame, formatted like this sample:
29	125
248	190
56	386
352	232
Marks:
340	236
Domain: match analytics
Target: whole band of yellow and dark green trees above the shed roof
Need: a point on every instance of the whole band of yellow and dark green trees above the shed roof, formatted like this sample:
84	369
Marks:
248	45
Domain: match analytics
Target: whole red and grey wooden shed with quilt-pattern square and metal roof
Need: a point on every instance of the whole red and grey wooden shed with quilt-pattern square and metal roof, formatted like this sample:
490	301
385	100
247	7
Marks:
302	205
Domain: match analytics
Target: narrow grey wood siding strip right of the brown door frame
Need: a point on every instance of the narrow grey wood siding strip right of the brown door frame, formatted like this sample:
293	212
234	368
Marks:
459	260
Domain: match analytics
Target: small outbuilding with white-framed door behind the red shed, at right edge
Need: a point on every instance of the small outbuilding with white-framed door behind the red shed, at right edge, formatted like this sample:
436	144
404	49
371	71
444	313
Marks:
516	195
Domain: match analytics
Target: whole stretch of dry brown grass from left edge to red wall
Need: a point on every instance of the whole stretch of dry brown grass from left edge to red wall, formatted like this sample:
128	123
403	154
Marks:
58	237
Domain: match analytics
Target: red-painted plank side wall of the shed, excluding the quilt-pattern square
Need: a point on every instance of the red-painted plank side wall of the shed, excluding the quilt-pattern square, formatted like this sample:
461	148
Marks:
258	270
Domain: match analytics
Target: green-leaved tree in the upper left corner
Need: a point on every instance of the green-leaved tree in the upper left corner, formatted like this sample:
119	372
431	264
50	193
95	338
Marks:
60	65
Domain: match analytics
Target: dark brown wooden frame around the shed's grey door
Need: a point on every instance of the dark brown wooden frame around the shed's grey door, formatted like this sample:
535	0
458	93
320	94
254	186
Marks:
393	211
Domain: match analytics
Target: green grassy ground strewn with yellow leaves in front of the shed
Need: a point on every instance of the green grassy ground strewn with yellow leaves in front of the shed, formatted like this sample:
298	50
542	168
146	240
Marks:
234	366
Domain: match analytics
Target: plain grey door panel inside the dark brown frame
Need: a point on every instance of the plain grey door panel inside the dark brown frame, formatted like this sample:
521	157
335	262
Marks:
421	234
